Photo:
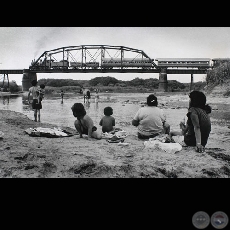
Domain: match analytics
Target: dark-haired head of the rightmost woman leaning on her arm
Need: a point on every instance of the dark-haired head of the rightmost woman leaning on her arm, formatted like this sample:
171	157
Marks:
197	99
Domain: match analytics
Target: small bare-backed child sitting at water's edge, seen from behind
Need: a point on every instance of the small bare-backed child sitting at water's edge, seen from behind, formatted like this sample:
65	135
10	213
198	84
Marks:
107	122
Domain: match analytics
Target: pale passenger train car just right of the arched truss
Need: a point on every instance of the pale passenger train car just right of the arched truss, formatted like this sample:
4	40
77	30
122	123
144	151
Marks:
200	63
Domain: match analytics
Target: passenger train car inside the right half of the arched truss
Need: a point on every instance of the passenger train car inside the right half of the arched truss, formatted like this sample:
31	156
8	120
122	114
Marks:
110	63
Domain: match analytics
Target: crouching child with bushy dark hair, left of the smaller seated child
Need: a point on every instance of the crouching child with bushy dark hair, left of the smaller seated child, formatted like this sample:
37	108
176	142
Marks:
84	124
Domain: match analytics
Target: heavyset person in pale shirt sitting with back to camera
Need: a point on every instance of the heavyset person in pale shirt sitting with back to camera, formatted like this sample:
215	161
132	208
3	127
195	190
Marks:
150	120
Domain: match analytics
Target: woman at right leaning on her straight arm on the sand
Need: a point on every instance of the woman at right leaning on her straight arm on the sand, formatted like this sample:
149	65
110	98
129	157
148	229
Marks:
198	127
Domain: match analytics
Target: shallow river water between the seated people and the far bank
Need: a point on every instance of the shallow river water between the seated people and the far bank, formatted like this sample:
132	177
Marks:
124	108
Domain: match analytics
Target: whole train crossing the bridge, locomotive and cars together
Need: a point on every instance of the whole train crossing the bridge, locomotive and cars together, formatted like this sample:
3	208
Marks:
113	63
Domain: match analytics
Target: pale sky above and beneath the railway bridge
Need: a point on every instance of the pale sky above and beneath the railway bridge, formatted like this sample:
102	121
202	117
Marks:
20	45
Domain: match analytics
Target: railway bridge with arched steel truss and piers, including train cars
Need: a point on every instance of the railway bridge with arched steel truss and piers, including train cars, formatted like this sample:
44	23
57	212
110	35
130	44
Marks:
108	59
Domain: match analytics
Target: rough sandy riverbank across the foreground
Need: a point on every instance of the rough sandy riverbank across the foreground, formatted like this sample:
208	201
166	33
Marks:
24	156
